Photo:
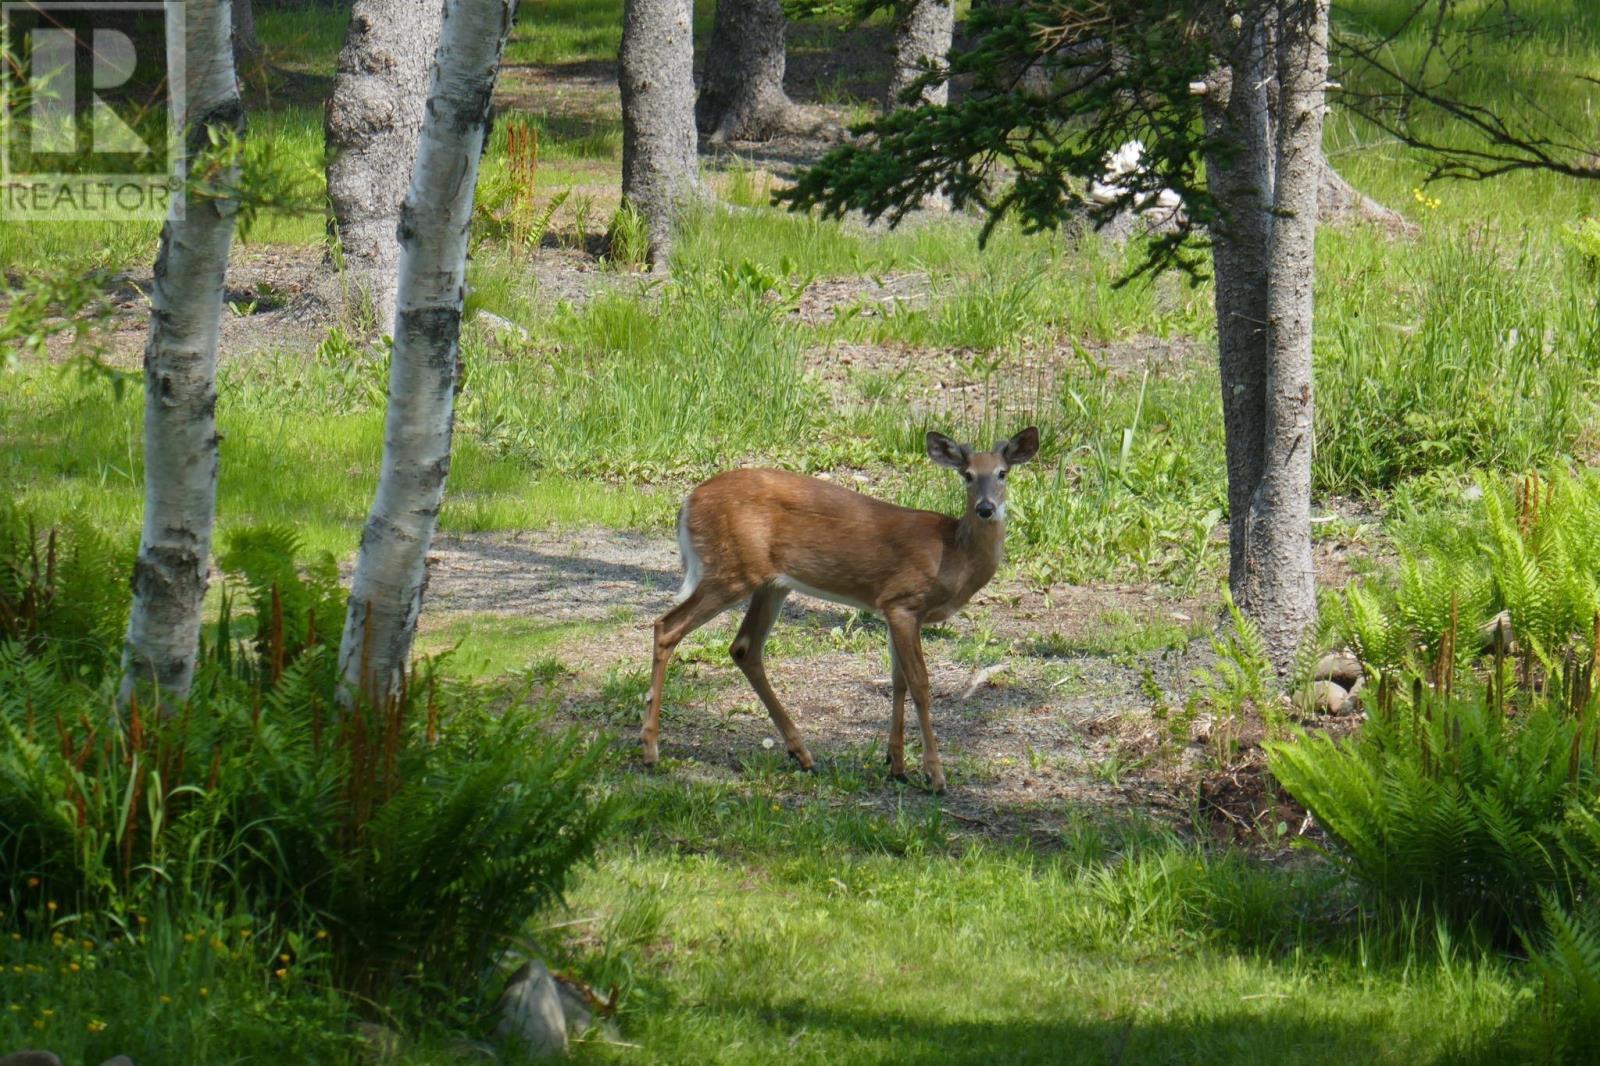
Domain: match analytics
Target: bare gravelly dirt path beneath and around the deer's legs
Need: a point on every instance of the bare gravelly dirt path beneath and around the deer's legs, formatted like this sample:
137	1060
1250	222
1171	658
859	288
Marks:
1038	715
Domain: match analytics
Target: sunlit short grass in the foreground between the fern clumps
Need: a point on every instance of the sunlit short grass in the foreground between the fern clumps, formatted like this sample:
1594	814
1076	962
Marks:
748	924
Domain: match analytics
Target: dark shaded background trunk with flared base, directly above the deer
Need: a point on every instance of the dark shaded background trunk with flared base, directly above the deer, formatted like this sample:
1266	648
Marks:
743	87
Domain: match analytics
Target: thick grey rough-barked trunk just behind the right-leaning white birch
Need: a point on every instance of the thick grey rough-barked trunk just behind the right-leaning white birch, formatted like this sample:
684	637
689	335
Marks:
374	121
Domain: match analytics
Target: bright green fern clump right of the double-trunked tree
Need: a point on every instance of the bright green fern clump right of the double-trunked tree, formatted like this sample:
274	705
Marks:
1479	758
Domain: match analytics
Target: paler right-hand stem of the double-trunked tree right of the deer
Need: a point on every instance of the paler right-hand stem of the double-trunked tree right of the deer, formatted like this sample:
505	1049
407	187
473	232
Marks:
1281	580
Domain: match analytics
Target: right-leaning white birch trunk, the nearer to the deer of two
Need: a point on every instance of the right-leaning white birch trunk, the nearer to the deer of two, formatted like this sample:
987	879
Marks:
386	593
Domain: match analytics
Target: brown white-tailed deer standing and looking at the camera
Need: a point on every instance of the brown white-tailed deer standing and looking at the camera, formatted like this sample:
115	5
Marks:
762	535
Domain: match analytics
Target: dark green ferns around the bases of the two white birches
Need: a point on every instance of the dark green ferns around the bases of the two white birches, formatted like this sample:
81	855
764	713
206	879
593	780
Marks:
420	836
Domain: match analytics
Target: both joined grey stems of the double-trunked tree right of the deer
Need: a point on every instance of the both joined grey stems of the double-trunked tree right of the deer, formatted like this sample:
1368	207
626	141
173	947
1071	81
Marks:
1265	167
